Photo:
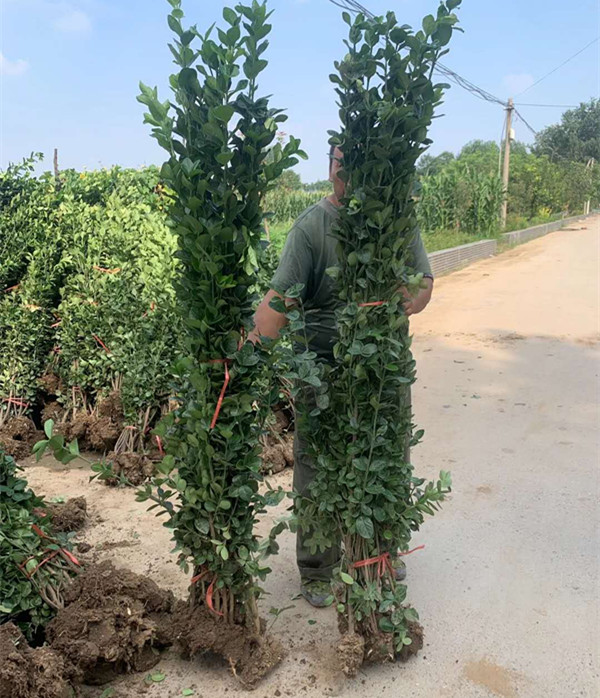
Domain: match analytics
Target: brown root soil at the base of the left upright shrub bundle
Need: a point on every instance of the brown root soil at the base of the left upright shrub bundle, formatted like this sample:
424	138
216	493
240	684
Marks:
250	656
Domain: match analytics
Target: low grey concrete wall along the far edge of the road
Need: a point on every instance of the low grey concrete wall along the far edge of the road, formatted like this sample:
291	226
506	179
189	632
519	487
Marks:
444	261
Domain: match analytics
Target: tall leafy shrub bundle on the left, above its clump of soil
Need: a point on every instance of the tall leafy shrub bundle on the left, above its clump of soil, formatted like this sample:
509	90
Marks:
218	131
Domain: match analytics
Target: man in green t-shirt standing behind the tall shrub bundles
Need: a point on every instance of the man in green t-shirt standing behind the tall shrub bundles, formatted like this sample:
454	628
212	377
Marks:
309	251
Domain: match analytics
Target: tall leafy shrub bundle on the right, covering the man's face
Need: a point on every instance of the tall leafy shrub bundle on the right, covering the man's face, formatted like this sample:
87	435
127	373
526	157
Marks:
365	490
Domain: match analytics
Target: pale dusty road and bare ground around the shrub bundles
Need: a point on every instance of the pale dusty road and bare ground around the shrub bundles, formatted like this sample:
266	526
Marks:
507	585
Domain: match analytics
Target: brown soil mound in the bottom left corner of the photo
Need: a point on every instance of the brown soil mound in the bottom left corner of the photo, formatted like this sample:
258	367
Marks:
27	672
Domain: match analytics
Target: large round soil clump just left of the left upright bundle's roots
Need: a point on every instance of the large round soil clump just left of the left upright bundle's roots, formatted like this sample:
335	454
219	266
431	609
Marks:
112	623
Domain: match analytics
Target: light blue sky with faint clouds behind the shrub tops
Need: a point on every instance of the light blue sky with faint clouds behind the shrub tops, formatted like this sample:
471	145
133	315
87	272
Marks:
69	71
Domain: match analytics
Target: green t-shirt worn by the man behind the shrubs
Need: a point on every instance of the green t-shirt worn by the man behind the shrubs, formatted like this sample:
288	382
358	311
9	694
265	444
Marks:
309	251
